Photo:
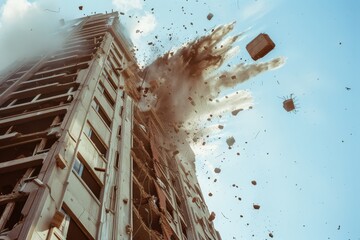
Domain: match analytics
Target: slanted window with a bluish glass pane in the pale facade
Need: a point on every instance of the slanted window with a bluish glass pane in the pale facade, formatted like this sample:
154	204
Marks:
83	171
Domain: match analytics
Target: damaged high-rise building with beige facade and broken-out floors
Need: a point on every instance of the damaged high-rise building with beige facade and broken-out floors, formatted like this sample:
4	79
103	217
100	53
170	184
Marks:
79	160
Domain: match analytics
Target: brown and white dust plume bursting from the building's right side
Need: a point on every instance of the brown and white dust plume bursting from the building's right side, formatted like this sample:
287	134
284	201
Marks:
184	86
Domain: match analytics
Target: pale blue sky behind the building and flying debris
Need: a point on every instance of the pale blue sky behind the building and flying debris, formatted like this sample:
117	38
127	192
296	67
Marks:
306	164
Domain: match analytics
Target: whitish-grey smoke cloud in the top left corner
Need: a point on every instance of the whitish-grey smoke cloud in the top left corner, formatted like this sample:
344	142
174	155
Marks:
27	29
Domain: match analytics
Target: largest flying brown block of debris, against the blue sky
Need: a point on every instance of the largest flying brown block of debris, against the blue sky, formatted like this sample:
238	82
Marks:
260	46
